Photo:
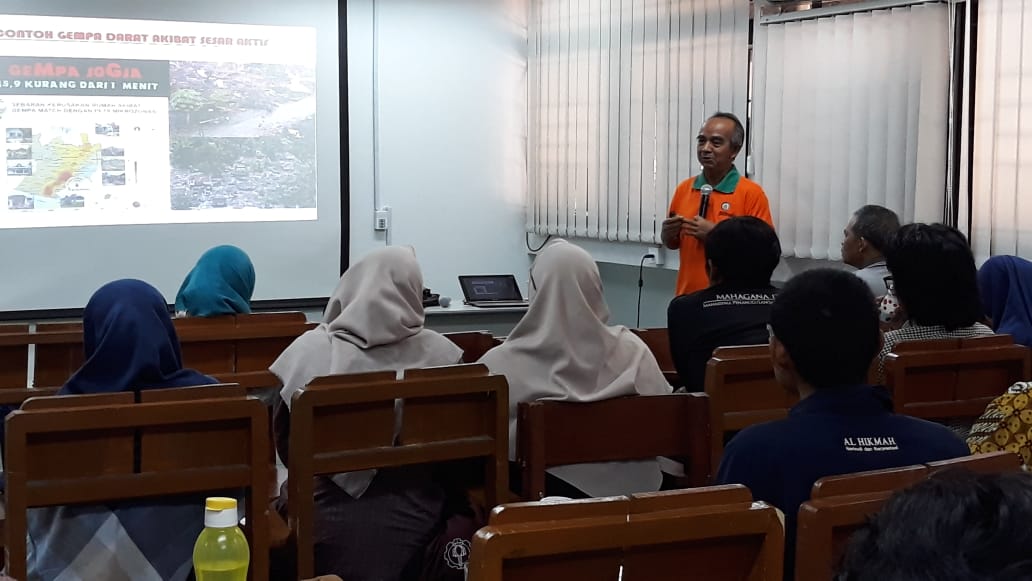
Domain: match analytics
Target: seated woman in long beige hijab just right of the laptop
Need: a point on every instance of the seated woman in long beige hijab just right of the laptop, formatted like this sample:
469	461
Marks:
564	350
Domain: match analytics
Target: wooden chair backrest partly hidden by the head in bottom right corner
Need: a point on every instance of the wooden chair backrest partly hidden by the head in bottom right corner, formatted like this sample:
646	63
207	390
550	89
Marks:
824	530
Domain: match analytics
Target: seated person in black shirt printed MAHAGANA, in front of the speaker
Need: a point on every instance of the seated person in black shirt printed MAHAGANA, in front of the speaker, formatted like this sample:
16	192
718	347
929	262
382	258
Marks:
741	255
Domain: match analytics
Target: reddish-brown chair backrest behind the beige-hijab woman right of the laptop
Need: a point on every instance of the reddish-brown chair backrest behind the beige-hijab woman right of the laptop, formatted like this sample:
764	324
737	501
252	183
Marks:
552	434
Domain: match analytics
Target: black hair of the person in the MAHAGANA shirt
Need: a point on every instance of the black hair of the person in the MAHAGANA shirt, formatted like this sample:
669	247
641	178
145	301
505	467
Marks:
745	251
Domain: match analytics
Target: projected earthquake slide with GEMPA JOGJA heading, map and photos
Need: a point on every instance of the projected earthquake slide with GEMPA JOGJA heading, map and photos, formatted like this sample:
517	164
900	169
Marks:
141	122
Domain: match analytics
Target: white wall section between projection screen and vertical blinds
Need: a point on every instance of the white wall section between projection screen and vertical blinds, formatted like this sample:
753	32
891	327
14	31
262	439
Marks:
453	110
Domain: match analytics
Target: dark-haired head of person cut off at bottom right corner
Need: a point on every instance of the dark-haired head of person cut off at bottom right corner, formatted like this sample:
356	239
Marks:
954	527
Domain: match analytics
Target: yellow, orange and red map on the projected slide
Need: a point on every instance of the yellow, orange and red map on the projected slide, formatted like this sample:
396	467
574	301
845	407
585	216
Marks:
59	158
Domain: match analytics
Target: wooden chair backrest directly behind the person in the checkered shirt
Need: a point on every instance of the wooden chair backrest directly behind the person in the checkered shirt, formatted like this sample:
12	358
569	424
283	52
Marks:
954	378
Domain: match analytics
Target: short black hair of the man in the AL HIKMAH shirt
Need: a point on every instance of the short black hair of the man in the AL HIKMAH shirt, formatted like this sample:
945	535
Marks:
829	324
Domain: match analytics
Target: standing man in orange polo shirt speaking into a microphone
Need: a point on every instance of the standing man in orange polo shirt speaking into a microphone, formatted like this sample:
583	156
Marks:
720	142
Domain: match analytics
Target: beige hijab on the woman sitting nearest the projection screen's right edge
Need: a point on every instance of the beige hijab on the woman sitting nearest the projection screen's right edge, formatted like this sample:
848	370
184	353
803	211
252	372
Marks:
374	322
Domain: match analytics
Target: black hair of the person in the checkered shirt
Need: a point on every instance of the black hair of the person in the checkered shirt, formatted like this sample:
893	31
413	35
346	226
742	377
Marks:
934	276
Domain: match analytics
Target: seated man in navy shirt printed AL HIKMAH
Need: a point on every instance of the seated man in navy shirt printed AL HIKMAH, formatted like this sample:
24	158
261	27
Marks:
824	337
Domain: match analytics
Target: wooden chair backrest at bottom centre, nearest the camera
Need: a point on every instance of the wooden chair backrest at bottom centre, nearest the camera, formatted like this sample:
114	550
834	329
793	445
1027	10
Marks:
737	540
